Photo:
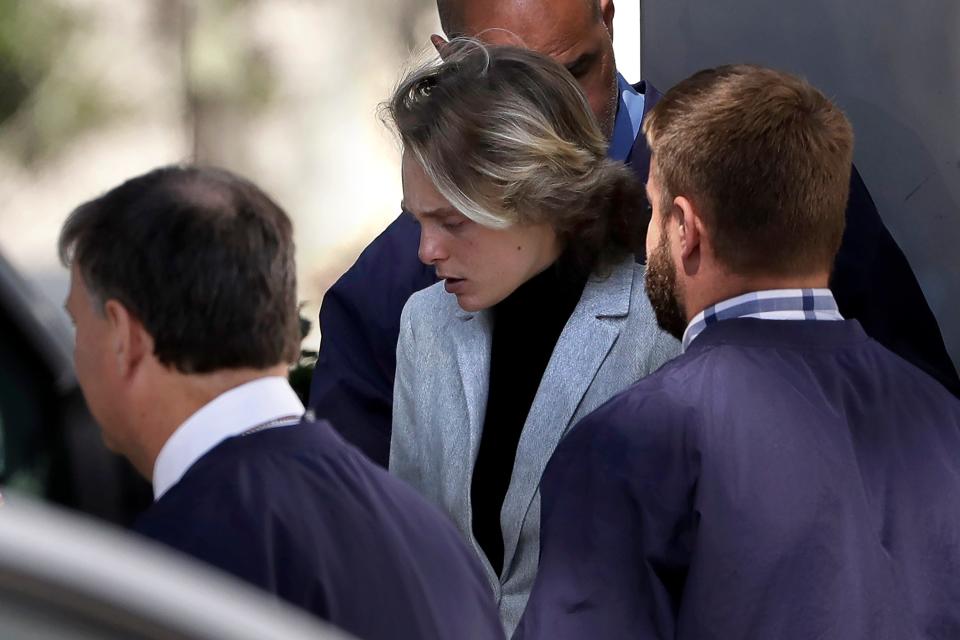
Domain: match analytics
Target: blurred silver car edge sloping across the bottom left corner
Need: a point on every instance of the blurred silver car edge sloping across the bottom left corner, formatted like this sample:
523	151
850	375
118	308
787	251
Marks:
64	576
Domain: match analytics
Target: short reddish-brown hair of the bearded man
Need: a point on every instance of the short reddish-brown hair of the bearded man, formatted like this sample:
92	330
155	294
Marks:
767	159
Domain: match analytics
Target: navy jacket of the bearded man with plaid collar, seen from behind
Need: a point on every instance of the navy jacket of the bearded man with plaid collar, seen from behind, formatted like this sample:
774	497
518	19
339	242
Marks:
781	479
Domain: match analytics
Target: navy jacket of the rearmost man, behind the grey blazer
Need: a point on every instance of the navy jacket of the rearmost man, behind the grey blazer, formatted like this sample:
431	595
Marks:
352	383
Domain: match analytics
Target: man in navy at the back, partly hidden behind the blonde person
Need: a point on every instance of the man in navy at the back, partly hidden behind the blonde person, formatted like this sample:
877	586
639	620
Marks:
360	317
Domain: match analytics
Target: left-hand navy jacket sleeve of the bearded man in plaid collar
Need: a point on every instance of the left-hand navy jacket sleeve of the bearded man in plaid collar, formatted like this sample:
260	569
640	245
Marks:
616	528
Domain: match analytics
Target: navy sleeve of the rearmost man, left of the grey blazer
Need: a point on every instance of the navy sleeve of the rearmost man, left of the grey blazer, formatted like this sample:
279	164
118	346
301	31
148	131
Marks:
352	383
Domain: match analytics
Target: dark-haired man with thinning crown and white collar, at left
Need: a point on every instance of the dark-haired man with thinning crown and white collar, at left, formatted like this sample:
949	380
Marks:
183	293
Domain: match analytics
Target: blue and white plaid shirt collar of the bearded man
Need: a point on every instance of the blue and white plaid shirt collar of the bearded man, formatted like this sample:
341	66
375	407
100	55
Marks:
775	304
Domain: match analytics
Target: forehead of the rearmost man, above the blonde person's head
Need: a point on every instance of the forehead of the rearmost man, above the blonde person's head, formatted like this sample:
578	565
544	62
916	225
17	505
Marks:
551	27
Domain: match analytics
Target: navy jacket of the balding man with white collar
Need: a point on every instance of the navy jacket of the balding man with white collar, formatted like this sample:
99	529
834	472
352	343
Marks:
299	513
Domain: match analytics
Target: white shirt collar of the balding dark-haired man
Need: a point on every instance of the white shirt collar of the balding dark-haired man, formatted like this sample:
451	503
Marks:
231	413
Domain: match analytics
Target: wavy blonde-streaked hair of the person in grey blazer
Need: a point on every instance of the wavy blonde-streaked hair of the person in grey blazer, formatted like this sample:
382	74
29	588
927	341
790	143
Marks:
507	137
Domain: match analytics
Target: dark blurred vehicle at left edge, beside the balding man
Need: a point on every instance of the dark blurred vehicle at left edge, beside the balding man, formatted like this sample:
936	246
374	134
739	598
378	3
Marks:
50	446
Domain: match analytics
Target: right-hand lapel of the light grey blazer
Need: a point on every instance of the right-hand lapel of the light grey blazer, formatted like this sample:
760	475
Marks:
583	346
